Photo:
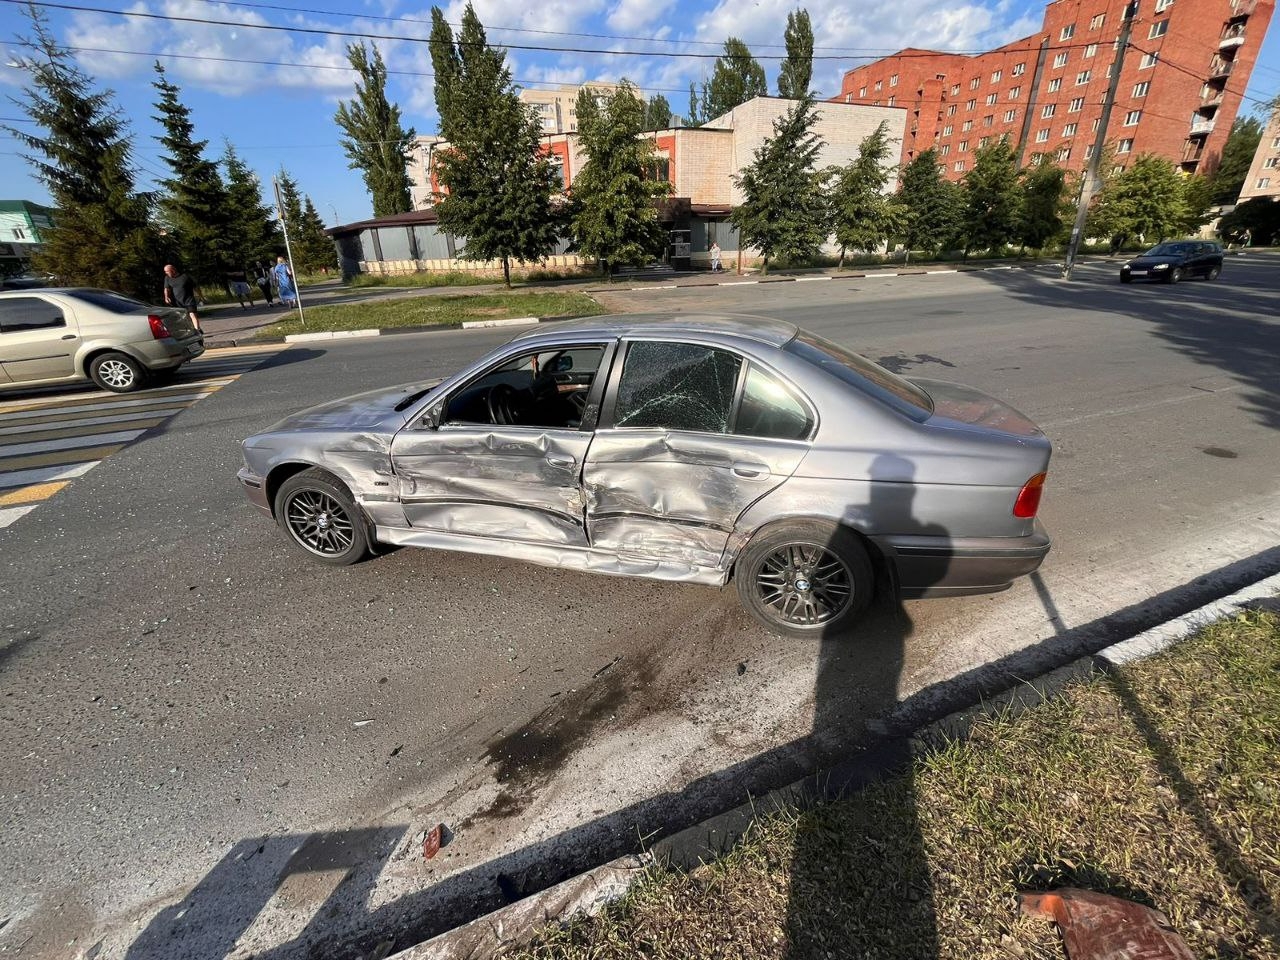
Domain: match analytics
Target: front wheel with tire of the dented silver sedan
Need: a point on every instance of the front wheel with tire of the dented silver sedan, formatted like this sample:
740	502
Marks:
321	519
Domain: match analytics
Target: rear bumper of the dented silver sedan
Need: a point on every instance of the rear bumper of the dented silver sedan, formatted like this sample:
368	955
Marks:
938	566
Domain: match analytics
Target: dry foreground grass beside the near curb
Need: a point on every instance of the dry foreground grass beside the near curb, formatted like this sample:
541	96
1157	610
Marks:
1160	783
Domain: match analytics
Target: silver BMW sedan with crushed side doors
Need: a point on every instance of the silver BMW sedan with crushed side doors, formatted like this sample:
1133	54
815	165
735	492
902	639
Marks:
693	449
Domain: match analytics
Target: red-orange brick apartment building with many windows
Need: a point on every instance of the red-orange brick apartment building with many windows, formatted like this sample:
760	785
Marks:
1181	85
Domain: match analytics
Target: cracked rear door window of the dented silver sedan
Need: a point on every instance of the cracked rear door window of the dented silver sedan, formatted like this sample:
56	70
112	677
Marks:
676	387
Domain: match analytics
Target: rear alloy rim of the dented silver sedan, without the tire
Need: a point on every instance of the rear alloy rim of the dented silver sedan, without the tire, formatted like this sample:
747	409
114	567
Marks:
804	584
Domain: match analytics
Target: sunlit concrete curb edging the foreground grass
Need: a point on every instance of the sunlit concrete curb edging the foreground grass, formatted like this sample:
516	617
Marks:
596	889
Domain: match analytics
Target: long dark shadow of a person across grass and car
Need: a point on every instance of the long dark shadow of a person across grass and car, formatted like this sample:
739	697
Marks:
861	883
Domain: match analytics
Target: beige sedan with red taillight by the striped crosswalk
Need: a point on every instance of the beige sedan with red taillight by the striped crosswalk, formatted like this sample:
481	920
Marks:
75	333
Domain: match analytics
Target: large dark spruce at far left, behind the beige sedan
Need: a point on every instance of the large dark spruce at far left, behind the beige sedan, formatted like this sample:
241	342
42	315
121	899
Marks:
83	153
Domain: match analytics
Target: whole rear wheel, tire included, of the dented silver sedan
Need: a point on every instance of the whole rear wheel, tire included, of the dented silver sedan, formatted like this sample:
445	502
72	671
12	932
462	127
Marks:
778	575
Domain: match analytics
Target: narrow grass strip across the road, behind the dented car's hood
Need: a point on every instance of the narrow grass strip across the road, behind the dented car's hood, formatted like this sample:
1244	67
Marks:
444	310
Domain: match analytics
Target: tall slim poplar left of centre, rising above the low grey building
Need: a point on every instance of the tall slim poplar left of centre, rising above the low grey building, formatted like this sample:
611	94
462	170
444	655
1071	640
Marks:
376	141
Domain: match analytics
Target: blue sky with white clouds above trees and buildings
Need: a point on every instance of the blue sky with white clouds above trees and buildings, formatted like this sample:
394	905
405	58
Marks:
284	116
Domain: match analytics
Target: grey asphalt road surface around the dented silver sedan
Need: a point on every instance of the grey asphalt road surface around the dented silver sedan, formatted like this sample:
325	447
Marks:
214	748
